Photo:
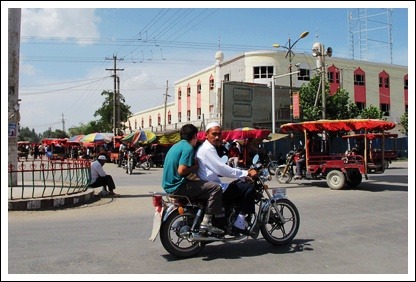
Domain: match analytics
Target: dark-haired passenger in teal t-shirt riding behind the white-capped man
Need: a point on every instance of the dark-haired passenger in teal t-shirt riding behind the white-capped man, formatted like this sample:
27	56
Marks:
179	164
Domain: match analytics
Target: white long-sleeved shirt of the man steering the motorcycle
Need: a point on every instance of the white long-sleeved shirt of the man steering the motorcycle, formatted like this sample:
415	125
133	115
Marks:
211	166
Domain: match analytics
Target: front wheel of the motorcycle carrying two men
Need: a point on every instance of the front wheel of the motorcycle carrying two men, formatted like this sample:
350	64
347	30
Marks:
278	232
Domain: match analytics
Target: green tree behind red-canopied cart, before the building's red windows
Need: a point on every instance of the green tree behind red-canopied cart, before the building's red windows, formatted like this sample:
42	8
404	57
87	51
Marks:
338	105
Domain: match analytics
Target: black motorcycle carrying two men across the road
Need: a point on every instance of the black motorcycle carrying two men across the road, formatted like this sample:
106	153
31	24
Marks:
177	219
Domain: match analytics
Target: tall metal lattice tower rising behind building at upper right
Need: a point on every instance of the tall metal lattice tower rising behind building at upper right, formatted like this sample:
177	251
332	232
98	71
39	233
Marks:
369	32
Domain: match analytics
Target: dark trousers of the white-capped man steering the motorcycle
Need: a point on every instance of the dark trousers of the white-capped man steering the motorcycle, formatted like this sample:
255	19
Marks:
242	194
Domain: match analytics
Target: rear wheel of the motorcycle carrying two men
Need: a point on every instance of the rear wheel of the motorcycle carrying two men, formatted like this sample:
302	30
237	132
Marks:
173	235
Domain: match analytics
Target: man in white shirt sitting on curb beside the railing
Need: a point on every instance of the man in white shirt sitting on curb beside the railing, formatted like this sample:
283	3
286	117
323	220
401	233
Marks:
100	178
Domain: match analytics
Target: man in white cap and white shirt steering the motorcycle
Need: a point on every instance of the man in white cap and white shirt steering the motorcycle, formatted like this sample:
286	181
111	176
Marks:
211	166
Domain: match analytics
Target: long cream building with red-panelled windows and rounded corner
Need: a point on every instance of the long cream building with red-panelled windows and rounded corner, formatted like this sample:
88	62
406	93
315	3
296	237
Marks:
201	97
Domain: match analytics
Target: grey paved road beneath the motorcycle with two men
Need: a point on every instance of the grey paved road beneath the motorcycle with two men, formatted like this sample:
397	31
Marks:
351	231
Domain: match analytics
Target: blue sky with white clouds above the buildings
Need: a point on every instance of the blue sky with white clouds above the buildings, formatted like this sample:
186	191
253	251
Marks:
67	54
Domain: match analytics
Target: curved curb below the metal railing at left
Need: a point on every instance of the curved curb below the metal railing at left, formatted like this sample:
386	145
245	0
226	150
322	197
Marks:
52	202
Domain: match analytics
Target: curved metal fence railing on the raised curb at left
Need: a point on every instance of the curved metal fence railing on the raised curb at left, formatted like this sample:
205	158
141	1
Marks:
39	179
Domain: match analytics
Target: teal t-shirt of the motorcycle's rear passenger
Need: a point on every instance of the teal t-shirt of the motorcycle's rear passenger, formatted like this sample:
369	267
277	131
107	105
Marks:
182	153
